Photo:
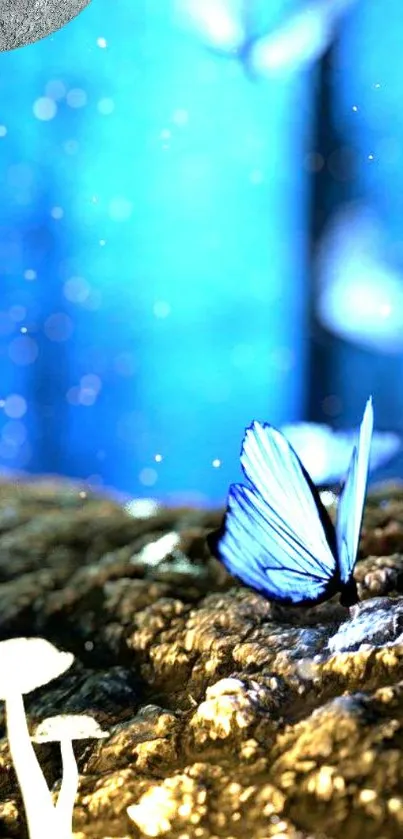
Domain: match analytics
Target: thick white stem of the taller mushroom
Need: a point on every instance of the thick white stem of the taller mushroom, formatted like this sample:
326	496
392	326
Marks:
39	809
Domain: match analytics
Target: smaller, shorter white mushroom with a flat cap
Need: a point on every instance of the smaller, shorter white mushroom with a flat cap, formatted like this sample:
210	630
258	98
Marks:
63	729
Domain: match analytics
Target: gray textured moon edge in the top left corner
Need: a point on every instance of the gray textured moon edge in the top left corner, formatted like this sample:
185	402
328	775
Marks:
26	21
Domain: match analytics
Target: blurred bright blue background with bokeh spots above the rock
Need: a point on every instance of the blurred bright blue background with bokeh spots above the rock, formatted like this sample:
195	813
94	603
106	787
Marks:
200	224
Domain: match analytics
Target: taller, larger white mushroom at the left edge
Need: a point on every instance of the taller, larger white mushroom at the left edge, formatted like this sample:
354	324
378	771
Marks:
26	664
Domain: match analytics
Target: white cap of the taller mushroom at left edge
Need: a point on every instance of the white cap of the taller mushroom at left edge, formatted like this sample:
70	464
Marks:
29	663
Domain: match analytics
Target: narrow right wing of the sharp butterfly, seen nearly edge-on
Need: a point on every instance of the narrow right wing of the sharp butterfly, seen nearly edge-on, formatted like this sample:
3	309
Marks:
351	502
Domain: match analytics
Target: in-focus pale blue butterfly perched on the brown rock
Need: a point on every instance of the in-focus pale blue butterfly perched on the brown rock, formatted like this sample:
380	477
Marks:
277	536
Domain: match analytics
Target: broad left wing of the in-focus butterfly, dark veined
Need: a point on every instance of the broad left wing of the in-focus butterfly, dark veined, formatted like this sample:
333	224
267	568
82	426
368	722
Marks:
277	537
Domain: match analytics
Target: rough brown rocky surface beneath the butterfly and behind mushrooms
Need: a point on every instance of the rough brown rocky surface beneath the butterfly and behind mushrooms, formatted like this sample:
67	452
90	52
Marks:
228	716
